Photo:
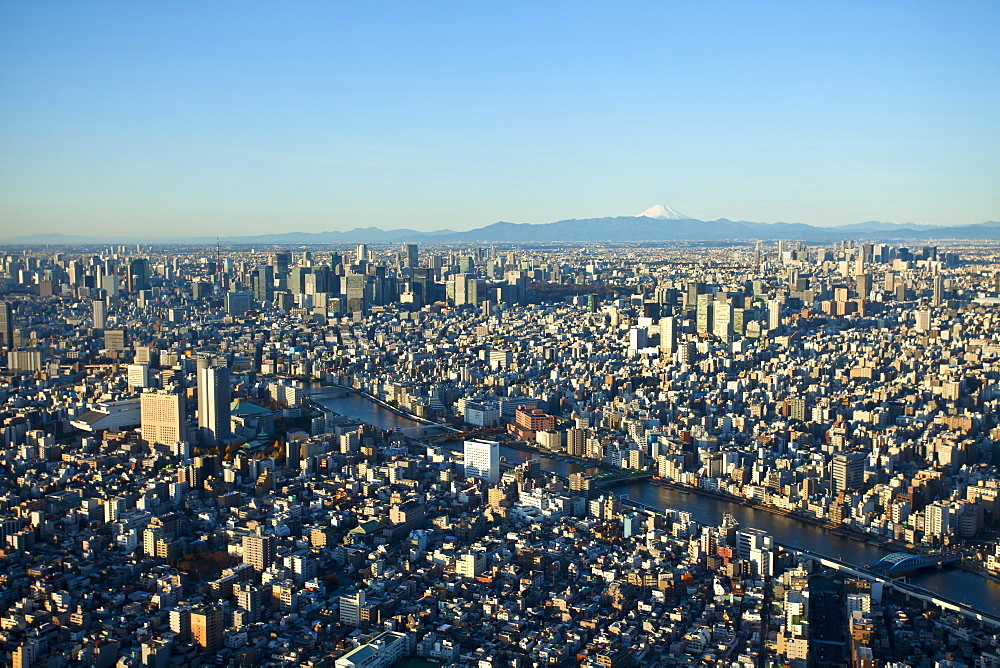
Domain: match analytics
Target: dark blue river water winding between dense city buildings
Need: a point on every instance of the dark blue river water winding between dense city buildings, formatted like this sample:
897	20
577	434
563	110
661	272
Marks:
952	583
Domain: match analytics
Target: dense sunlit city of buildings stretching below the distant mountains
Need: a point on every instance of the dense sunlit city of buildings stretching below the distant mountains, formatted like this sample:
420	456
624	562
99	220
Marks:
401	455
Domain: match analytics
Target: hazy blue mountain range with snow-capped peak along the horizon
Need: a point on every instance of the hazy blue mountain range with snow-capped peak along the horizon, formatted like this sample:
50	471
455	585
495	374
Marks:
658	223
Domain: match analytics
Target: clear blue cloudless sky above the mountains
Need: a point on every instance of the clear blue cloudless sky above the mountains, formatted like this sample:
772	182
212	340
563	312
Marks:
182	118
